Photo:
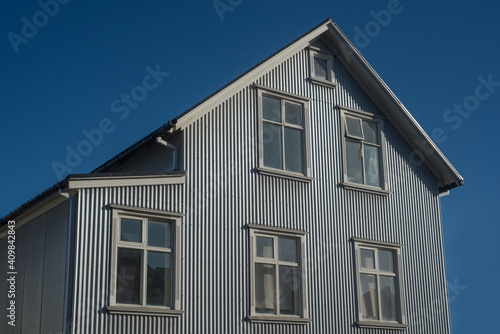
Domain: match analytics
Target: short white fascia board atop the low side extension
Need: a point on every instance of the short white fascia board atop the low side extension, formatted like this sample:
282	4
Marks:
125	181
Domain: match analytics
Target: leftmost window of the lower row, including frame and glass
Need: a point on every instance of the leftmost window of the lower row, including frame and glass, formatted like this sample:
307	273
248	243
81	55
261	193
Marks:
145	260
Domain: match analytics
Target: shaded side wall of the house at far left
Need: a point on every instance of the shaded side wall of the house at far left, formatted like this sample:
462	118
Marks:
41	248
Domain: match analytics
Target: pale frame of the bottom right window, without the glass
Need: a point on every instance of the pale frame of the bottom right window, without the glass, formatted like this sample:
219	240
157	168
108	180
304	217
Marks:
359	244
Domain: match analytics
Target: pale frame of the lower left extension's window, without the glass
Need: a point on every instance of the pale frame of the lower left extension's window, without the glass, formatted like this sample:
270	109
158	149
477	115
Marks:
144	215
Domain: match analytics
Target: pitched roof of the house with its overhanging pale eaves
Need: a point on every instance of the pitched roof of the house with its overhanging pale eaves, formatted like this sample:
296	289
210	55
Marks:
448	177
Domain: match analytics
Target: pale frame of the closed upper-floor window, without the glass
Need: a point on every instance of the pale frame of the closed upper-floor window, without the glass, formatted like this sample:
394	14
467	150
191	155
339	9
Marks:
306	154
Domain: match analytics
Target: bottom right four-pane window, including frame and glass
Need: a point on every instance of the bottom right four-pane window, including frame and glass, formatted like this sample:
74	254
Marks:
378	284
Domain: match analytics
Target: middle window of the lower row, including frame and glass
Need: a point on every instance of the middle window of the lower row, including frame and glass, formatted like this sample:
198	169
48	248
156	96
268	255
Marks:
278	280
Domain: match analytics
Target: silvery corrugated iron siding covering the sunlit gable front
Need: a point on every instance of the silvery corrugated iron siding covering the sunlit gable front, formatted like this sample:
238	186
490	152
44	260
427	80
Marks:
223	192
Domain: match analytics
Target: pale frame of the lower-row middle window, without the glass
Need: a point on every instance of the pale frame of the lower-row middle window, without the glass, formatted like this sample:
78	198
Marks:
275	233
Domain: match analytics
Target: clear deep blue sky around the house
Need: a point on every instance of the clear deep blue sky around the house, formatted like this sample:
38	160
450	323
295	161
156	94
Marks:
432	54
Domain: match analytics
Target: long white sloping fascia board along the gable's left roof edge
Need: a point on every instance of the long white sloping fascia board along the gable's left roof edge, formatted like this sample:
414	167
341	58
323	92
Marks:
249	78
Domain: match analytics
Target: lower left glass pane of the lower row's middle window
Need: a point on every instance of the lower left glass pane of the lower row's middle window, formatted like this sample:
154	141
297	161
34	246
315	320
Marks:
265	288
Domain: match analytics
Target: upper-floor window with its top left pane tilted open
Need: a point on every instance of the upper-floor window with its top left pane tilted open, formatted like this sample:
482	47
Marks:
363	150
